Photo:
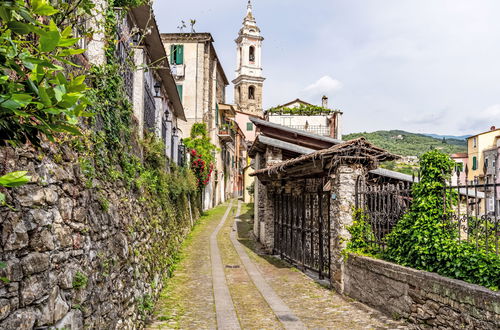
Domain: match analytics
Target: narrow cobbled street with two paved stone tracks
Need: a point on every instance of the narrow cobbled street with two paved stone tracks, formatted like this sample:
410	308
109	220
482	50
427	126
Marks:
229	285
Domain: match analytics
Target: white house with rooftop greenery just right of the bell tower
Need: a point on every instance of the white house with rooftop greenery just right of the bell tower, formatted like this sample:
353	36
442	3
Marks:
307	117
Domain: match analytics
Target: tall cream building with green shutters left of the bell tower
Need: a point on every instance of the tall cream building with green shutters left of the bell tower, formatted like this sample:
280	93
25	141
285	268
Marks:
201	82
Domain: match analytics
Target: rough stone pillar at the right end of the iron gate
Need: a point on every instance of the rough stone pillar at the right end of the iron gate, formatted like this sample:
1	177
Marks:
343	183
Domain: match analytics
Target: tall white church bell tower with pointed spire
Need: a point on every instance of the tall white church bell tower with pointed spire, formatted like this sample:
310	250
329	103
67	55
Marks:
249	81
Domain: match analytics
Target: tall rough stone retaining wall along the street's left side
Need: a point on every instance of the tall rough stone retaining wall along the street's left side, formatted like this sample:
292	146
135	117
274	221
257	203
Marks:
79	253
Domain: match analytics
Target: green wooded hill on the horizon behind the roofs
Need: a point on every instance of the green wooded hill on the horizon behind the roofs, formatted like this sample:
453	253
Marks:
410	144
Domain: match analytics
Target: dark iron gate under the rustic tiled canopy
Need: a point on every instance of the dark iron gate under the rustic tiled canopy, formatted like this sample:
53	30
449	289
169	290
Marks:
302	227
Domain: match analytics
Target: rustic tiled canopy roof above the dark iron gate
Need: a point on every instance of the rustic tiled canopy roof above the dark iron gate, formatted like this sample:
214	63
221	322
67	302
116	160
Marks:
357	148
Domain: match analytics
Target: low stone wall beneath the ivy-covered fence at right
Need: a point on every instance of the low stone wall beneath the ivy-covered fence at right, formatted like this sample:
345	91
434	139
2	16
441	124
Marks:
425	299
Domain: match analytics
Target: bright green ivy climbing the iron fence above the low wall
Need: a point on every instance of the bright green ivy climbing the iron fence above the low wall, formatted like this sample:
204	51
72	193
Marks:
423	239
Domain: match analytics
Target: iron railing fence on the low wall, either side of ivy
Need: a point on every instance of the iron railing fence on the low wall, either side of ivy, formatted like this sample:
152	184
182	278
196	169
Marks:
471	211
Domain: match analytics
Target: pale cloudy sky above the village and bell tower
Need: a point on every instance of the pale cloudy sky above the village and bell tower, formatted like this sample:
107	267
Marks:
425	66
